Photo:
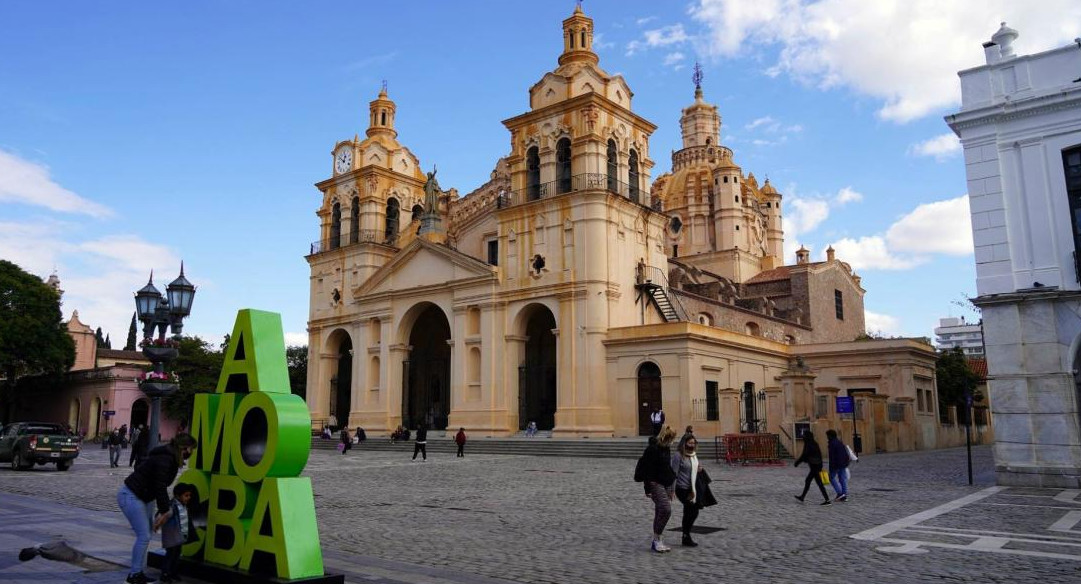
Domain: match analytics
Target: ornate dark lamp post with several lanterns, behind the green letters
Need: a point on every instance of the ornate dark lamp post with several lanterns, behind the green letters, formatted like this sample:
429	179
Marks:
162	314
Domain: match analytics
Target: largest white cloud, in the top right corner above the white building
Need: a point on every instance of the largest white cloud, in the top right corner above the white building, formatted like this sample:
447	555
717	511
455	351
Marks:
903	52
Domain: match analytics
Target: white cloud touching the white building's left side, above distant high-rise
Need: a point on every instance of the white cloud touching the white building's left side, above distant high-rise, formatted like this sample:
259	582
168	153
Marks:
937	228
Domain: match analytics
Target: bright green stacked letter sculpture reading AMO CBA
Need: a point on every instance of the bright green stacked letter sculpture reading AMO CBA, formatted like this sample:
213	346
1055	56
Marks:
255	441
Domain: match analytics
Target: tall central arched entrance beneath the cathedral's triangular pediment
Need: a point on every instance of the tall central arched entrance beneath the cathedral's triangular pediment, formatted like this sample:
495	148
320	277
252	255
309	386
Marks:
426	396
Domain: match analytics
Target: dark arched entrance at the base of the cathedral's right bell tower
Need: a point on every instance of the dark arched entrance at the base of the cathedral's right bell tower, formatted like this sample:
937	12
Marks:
537	377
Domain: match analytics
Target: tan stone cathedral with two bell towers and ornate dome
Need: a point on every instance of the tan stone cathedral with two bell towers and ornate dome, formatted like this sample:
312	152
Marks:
576	291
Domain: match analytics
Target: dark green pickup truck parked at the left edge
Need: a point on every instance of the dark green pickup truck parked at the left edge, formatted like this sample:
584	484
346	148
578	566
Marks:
24	444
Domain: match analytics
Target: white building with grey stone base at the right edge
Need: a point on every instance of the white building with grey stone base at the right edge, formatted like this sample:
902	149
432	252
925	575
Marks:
1021	127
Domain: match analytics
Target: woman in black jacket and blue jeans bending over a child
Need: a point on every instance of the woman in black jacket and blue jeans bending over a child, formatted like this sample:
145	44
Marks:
146	487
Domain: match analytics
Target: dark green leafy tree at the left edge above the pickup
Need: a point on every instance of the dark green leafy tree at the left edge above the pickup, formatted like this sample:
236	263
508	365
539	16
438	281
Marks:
34	339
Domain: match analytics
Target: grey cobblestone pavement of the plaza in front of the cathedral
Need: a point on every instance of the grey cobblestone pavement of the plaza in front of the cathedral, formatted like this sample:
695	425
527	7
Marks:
495	519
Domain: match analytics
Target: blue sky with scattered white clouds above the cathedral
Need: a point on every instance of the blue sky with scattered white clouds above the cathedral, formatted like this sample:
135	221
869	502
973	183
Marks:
138	135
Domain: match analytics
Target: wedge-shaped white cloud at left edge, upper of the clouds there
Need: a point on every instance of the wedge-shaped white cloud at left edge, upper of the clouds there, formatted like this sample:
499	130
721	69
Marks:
29	183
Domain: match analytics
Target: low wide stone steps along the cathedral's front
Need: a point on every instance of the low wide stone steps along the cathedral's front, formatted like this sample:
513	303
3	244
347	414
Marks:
542	445
